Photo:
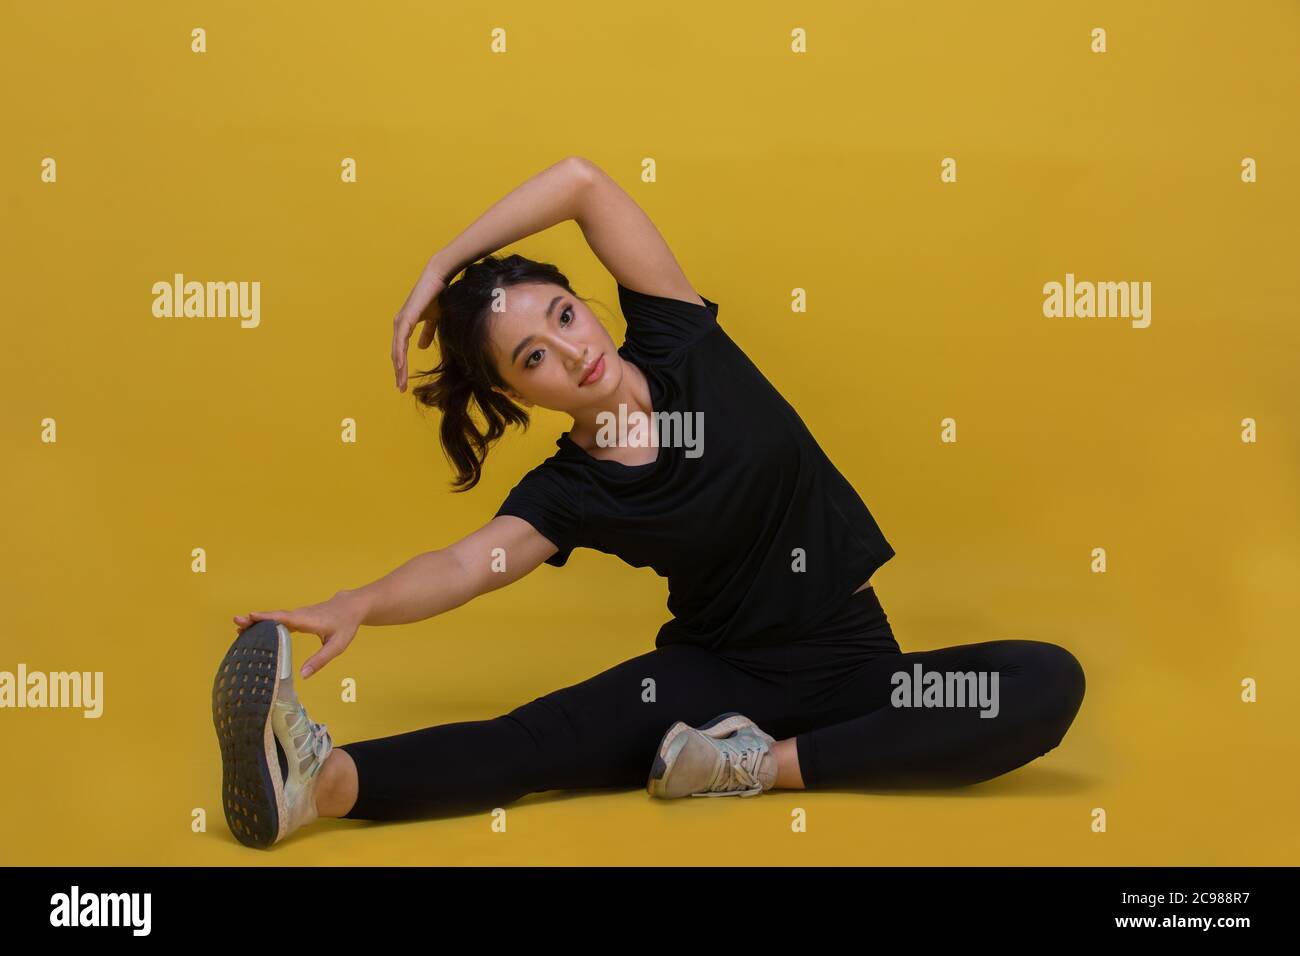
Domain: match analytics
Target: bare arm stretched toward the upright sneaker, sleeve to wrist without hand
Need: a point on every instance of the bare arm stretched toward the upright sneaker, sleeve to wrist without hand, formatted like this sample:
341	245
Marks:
437	582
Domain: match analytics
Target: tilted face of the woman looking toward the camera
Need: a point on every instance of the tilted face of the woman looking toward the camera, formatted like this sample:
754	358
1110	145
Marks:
545	341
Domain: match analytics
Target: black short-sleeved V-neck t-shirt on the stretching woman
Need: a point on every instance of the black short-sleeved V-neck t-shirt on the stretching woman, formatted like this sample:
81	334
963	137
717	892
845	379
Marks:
759	534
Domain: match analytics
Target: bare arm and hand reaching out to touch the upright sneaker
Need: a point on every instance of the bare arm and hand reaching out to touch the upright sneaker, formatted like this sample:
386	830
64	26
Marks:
424	587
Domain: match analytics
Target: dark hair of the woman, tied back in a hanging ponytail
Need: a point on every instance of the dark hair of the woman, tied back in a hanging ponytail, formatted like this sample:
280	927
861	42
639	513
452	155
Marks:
467	370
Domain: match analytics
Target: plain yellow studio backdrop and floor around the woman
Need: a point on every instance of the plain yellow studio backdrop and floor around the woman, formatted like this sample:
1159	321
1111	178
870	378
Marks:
775	171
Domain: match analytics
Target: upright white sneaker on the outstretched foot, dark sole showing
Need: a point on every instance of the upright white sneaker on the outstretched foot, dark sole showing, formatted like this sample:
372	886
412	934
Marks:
272	754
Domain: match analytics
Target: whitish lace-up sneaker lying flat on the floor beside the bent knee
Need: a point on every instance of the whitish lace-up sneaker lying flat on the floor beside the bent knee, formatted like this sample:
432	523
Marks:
729	756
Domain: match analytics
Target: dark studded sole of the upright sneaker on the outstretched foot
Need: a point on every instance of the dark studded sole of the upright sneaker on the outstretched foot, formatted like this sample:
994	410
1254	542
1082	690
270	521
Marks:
253	793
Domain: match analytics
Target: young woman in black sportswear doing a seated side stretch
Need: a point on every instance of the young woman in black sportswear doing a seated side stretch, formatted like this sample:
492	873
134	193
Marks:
779	668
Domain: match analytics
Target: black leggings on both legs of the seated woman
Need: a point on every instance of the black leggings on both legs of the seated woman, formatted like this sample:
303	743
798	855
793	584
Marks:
833	693
